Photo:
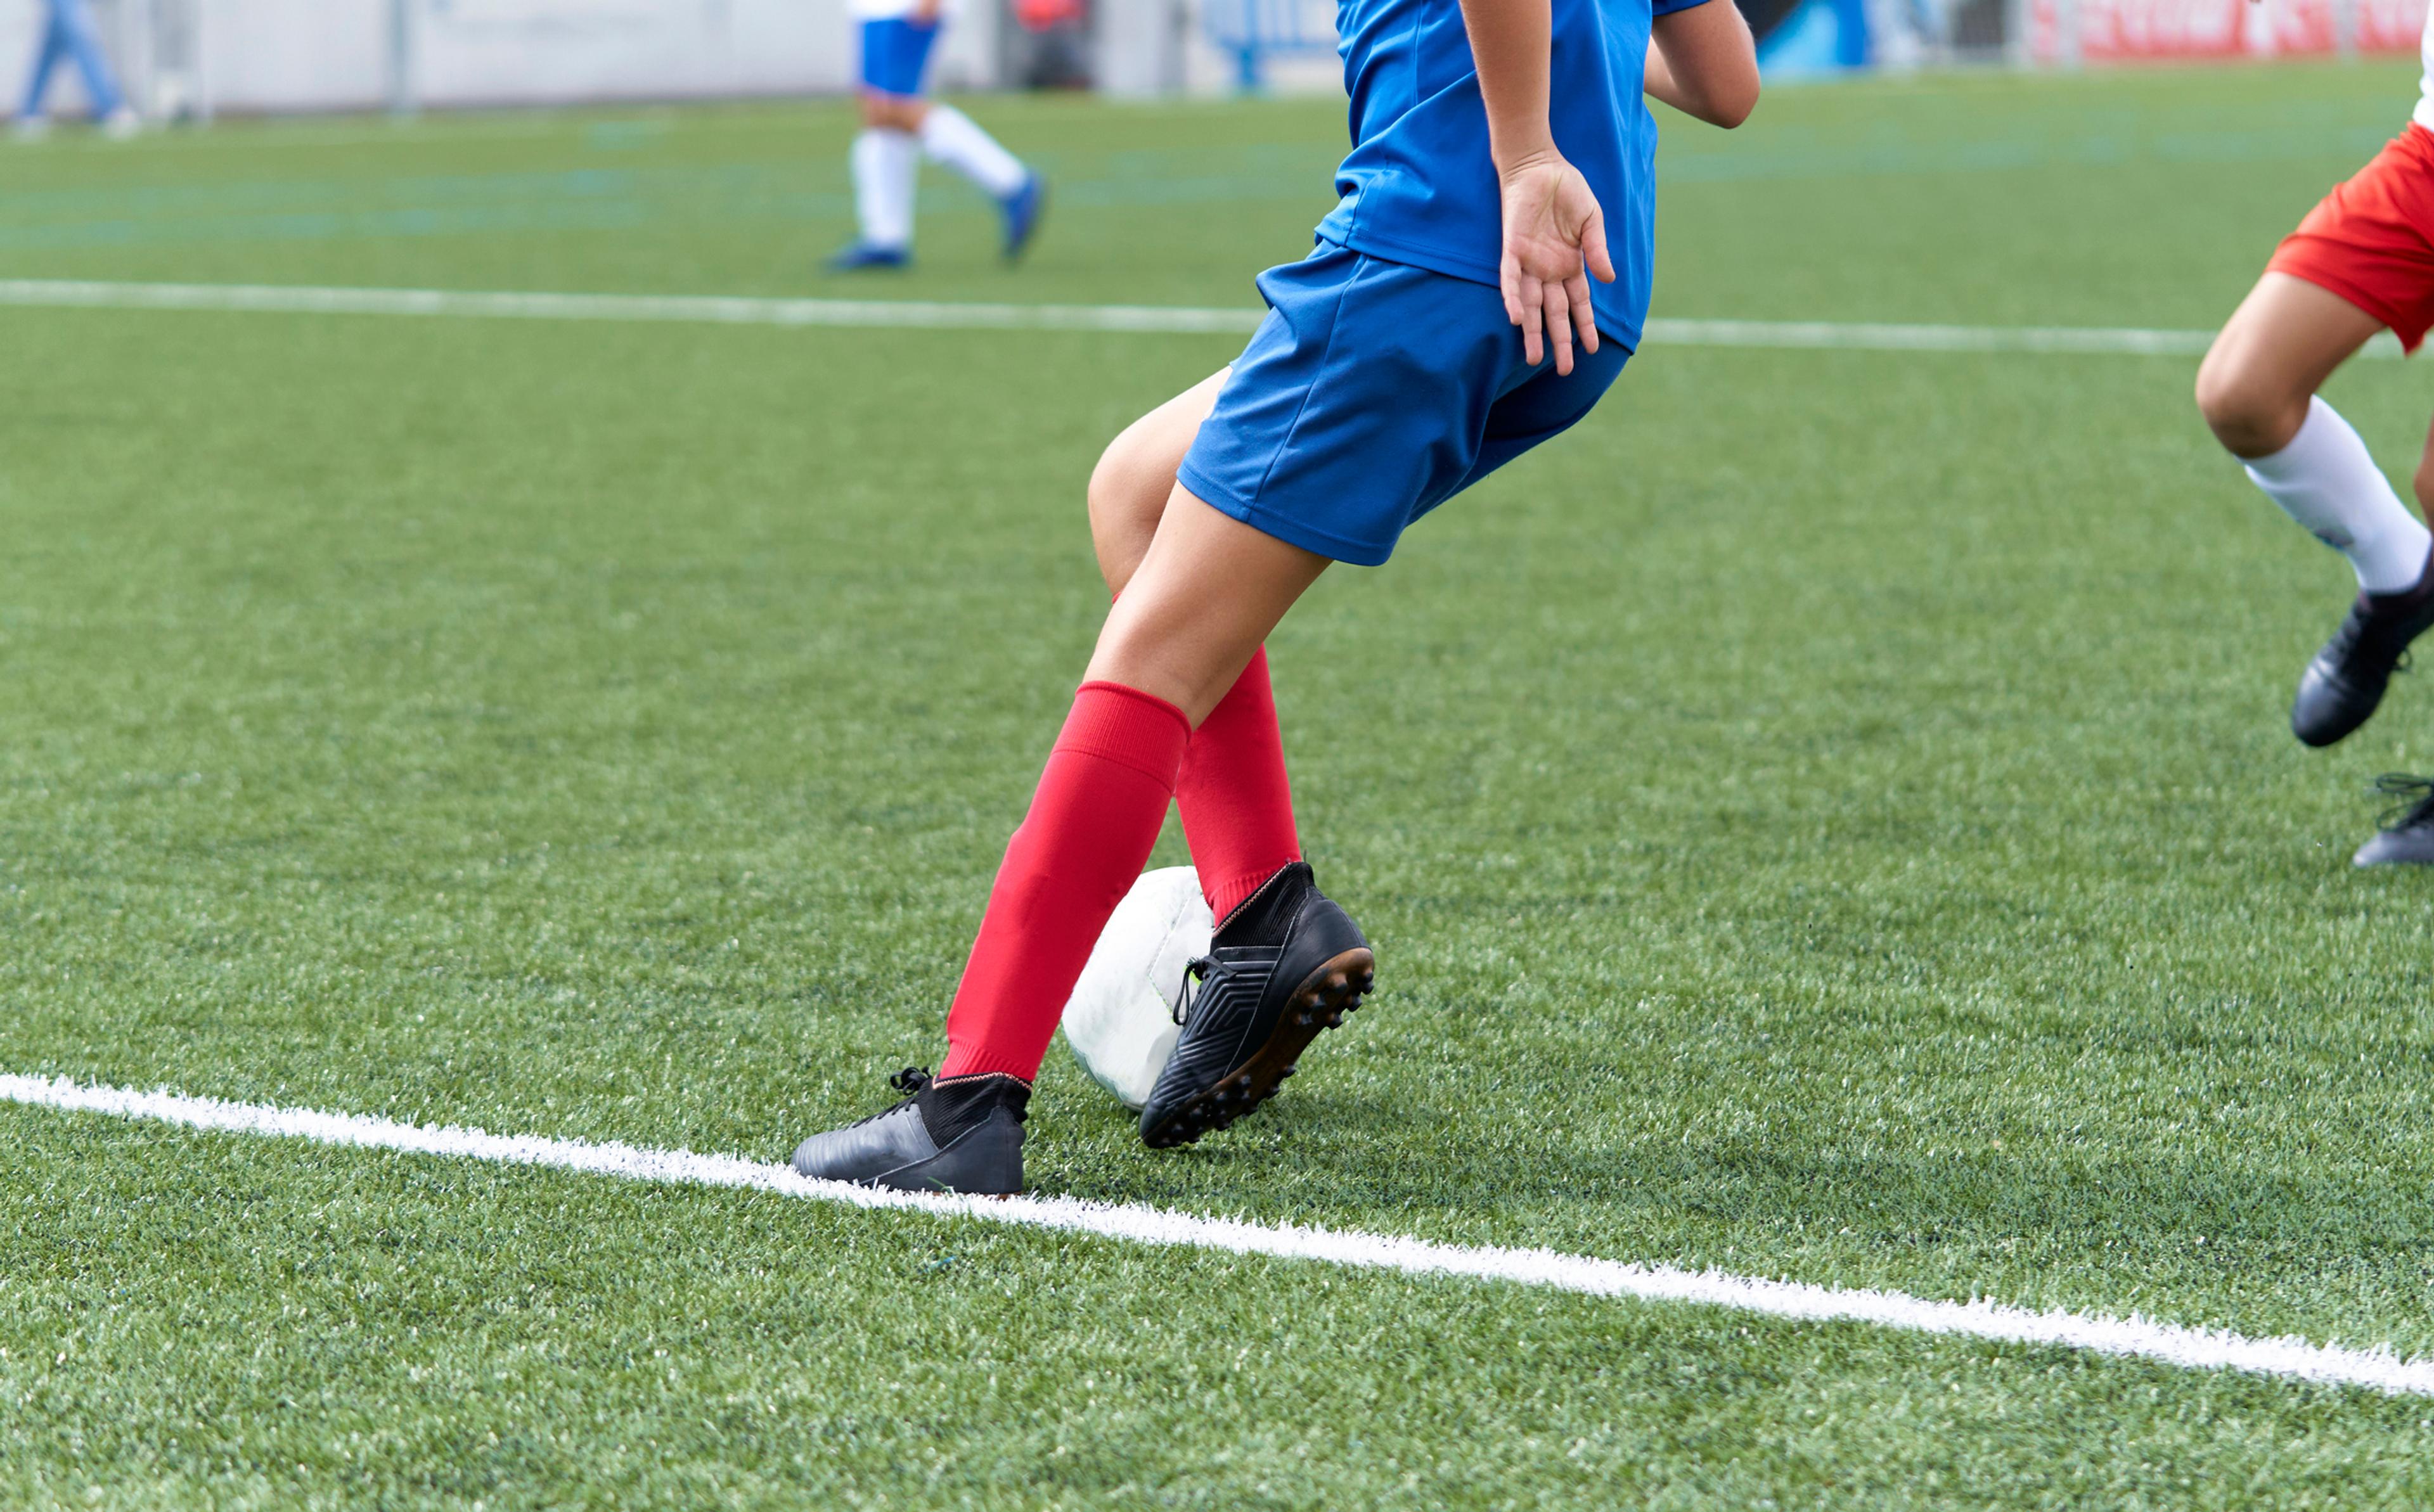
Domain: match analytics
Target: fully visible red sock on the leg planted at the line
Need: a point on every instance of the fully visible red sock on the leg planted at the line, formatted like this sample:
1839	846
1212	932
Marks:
1092	827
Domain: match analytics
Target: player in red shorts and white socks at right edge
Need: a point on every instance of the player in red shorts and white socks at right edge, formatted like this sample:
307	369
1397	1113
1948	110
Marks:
2360	264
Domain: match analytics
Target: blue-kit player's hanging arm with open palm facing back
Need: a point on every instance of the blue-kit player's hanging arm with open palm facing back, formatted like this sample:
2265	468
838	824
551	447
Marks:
1554	230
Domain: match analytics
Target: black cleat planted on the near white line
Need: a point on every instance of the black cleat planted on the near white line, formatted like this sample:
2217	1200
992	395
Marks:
948	1136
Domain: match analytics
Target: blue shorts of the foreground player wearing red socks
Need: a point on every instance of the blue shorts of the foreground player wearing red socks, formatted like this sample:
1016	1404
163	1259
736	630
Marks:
1372	396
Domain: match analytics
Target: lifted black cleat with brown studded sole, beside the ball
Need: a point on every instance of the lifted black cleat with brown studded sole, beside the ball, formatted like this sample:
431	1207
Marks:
1282	970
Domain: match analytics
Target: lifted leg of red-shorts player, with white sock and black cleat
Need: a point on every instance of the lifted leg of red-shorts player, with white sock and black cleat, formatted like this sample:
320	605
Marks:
2258	391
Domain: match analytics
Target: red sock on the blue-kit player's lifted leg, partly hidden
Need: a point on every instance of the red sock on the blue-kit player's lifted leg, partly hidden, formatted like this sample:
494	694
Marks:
1238	805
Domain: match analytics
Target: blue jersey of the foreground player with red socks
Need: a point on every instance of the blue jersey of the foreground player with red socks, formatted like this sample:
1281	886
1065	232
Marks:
1420	186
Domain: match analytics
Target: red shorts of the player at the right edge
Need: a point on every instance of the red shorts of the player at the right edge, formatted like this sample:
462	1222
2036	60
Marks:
2372	240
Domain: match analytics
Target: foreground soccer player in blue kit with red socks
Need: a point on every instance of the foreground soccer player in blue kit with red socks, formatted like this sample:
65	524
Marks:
1445	325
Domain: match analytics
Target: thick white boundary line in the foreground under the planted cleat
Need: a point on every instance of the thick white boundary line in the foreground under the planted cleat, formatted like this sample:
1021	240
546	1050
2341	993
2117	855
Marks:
2136	1338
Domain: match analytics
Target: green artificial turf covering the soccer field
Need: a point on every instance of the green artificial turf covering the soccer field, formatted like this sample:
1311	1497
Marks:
1829	817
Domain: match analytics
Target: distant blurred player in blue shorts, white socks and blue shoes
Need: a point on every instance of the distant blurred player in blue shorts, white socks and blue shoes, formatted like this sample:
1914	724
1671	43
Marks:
902	125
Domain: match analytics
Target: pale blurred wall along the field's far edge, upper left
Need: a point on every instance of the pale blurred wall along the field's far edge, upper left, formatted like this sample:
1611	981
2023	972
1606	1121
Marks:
359	55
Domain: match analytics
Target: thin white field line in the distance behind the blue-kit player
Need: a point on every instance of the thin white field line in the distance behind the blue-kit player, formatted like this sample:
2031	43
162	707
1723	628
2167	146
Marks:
931	315
